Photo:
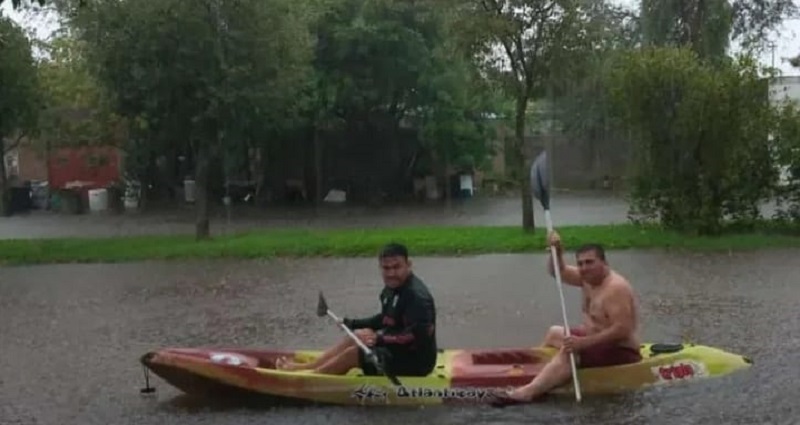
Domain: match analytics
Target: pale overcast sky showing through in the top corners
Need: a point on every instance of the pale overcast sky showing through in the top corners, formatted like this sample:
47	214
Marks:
786	44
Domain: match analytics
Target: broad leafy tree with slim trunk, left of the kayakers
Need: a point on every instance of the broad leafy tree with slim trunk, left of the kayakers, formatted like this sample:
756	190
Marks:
185	72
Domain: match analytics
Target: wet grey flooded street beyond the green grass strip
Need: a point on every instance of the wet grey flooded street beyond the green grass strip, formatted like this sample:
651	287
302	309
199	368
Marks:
568	208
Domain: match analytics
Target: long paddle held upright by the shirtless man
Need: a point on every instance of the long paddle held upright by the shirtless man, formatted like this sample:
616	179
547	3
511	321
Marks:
540	185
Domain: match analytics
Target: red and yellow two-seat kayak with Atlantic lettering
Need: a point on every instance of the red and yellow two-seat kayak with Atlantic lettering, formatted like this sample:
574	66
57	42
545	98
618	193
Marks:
461	375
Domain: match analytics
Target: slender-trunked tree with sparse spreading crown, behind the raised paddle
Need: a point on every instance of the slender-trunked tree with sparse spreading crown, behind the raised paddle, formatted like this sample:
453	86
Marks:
533	48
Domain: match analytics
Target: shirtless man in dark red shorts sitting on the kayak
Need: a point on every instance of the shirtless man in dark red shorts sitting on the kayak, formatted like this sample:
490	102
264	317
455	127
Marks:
608	334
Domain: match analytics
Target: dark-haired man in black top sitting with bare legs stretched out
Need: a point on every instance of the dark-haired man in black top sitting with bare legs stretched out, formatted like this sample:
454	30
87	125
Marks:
403	334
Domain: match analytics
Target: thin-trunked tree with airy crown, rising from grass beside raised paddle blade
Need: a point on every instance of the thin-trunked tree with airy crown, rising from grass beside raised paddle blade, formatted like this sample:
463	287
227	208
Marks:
534	37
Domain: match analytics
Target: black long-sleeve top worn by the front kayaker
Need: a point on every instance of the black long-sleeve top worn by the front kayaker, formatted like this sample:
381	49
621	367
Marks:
407	321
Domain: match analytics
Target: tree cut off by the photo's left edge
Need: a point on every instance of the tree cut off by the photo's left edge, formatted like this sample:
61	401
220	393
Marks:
19	95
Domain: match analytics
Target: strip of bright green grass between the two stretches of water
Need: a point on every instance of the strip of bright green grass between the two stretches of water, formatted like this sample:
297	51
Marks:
366	242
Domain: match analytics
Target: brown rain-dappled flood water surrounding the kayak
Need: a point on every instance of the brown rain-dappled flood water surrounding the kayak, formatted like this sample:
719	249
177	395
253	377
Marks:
71	334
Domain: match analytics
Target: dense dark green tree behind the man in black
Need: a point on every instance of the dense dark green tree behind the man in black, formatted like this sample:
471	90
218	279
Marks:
371	62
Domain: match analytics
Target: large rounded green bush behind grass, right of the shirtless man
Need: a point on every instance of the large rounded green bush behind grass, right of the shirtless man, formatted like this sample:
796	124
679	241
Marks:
700	134
